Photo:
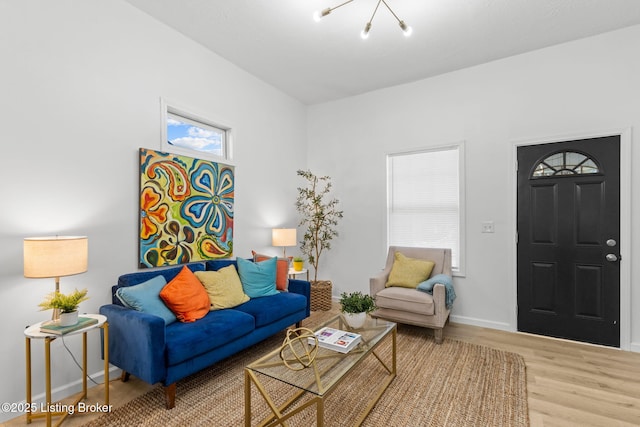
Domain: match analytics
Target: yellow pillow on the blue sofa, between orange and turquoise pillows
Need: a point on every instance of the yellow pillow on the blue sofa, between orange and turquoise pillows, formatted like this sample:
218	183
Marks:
223	287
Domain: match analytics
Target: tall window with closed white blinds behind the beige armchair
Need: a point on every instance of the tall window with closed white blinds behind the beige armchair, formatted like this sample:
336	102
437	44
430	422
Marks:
424	200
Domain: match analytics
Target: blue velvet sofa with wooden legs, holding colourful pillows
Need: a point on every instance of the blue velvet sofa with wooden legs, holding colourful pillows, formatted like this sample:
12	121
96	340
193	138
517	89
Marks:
141	344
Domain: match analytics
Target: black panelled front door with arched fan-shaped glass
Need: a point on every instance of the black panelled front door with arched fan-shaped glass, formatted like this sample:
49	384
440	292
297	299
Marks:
569	239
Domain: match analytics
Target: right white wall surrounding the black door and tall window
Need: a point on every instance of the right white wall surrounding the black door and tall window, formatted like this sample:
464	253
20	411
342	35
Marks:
575	89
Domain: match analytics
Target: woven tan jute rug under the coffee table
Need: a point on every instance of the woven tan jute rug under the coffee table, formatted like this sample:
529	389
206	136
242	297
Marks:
452	384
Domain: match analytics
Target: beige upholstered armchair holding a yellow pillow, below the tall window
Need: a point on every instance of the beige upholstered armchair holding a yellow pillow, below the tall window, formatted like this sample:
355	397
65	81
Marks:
410	306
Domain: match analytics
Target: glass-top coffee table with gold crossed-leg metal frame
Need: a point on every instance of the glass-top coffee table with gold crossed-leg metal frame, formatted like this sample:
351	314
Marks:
323	375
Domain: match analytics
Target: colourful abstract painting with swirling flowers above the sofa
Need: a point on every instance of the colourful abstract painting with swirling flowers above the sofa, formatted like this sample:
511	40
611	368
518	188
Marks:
186	209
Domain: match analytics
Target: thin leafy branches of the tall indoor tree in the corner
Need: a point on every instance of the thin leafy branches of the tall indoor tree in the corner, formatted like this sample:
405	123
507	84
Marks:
320	215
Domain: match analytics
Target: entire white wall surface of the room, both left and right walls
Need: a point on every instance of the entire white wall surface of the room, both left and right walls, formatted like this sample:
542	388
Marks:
80	85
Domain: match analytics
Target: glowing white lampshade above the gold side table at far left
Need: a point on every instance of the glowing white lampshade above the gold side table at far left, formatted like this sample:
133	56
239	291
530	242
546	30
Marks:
55	256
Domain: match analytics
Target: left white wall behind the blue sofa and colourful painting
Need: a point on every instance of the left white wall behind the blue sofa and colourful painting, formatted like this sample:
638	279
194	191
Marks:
80	85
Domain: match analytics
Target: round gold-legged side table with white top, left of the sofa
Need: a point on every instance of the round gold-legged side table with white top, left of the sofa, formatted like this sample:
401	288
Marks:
33	332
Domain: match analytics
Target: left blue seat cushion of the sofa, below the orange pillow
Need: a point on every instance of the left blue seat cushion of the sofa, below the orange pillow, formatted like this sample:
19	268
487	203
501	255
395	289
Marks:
185	341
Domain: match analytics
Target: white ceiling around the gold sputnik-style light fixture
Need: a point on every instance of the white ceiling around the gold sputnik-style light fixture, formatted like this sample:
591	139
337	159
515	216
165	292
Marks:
279	42
